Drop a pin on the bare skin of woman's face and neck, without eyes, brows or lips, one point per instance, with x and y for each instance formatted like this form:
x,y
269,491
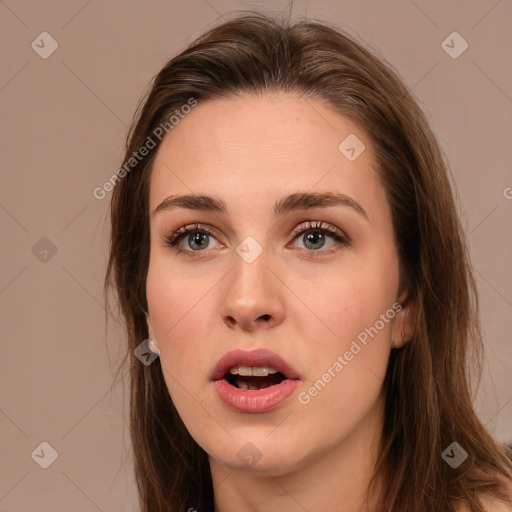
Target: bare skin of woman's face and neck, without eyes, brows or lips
x,y
250,151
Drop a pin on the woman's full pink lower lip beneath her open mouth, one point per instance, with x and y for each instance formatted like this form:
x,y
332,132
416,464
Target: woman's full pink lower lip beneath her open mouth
x,y
255,400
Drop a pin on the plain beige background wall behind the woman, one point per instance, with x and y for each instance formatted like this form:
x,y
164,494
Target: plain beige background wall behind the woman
x,y
64,120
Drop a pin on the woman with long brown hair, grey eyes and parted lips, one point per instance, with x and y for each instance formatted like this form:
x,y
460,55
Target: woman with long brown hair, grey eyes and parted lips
x,y
284,232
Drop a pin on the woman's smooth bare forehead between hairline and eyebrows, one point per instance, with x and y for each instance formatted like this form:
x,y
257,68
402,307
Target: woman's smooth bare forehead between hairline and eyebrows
x,y
260,148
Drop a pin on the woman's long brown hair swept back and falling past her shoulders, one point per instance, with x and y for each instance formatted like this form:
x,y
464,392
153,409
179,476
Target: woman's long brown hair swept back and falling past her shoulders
x,y
427,386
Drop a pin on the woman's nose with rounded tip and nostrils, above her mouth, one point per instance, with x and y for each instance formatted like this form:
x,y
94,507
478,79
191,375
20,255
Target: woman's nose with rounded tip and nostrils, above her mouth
x,y
253,296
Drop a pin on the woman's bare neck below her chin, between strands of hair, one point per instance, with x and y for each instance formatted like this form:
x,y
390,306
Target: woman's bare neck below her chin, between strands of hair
x,y
335,480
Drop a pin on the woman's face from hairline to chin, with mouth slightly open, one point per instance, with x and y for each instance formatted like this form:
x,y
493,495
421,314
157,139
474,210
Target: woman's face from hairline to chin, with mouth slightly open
x,y
265,277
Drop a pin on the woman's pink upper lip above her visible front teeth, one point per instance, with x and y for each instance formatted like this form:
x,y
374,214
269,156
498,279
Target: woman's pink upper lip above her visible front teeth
x,y
258,357
